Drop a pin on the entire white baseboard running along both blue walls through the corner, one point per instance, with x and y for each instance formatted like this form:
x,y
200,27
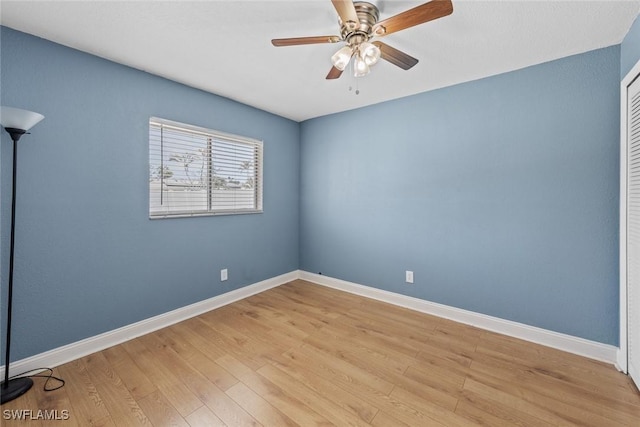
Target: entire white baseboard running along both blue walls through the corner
x,y
73,351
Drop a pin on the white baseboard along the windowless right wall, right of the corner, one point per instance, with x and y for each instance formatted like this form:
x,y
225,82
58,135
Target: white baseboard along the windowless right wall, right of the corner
x,y
591,349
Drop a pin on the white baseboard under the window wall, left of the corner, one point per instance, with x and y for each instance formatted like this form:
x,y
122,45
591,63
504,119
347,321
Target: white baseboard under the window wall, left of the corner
x,y
76,350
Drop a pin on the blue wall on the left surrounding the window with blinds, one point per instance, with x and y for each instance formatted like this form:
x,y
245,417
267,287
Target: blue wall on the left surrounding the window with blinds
x,y
88,259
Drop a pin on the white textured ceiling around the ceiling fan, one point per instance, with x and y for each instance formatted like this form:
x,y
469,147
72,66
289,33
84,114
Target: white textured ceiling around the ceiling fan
x,y
224,46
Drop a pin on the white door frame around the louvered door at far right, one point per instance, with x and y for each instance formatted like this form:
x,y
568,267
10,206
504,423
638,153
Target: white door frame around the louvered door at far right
x,y
623,356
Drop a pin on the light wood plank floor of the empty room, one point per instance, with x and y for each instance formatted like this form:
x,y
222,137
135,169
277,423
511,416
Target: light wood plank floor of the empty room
x,y
302,354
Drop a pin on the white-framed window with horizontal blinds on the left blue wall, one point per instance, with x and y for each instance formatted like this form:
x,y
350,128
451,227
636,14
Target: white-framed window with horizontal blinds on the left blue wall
x,y
195,171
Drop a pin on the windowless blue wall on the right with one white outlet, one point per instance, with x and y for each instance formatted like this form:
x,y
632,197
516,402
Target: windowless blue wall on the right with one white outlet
x,y
500,194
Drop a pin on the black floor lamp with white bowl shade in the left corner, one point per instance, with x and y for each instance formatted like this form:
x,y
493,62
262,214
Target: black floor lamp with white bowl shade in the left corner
x,y
17,122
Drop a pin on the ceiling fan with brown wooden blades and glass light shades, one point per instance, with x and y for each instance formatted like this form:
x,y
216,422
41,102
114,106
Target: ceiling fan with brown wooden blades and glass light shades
x,y
359,24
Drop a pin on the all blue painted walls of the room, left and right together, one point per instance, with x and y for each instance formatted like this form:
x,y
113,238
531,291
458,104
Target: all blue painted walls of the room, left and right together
x,y
500,194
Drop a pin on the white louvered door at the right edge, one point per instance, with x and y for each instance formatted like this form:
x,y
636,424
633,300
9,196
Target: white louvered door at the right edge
x,y
633,229
